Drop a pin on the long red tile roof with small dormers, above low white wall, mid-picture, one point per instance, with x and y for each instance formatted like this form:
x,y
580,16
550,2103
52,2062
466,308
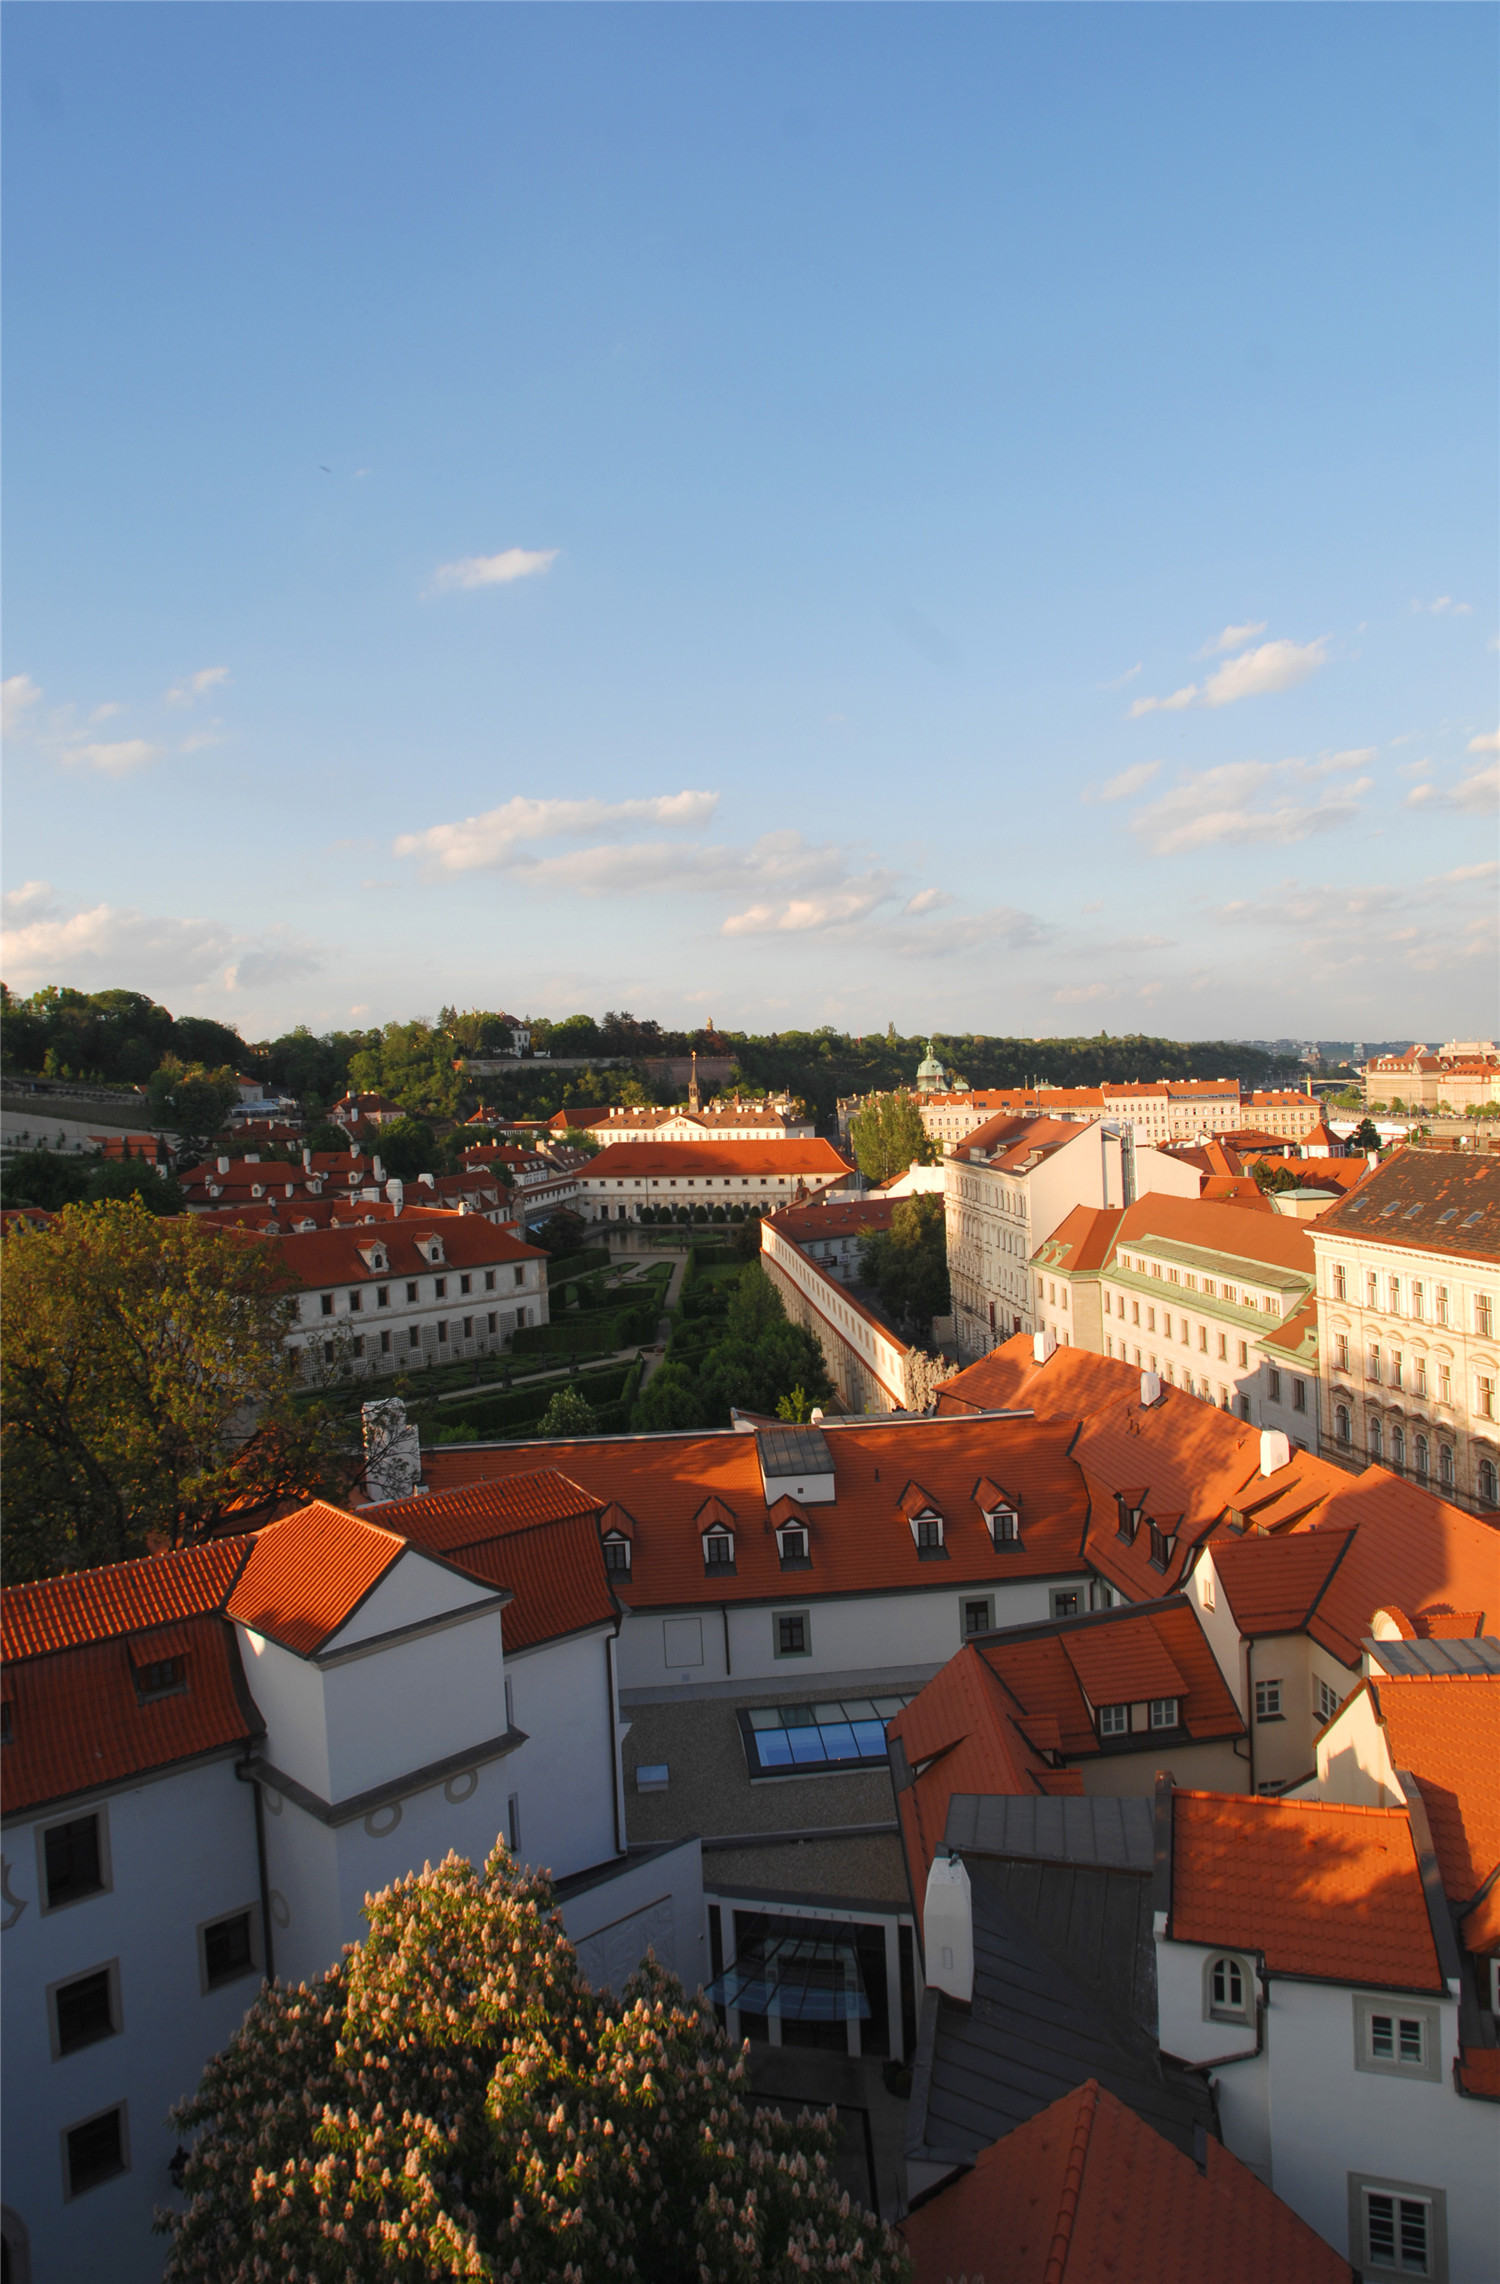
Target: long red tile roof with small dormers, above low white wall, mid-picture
x,y
860,1545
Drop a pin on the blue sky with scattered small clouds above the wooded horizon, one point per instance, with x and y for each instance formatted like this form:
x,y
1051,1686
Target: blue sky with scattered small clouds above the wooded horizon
x,y
971,517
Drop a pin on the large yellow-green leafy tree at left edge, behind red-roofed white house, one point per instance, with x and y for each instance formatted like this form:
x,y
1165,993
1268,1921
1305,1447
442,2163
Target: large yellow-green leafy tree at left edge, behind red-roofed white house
x,y
147,1388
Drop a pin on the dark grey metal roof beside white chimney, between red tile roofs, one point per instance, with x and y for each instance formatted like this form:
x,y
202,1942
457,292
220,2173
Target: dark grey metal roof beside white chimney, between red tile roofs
x,y
1038,2027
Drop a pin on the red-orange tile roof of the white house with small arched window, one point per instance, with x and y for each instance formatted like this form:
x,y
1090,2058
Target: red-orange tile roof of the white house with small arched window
x,y
1318,1890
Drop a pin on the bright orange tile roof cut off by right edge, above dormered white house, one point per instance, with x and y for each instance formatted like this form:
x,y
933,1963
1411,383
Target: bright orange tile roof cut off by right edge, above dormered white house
x,y
1446,1730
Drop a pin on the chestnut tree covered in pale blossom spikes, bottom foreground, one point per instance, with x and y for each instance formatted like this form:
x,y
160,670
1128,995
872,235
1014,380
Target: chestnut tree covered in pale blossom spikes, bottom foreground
x,y
453,2100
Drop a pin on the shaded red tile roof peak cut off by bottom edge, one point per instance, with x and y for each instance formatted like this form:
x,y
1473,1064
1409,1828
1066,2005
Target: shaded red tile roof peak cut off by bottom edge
x,y
1088,2191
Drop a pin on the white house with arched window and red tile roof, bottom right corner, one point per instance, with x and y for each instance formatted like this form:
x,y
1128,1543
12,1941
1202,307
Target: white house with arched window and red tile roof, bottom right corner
x,y
1307,1959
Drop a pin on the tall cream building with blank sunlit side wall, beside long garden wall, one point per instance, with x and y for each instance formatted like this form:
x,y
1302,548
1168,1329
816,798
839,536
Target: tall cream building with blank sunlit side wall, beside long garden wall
x,y
1008,1187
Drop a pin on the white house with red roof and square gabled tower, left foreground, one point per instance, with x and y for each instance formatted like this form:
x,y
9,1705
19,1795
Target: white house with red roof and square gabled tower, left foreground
x,y
213,1758
